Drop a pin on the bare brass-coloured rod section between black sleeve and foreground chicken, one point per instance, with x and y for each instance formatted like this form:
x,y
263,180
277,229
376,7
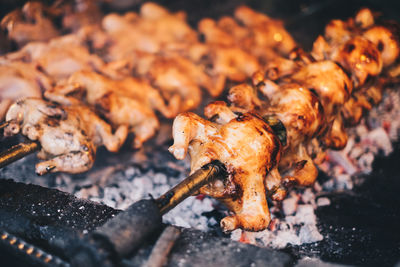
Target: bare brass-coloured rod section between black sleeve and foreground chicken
x,y
189,186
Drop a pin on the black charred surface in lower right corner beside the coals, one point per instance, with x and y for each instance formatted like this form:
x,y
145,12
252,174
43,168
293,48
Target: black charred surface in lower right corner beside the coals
x,y
361,227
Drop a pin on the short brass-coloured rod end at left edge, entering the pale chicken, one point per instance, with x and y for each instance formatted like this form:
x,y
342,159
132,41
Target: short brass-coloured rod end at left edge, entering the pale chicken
x,y
17,152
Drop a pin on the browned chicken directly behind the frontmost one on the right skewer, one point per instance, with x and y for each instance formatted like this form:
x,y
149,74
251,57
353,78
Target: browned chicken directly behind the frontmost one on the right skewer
x,y
301,114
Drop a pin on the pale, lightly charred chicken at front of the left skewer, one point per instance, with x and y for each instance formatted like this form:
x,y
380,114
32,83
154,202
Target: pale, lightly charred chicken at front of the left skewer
x,y
69,136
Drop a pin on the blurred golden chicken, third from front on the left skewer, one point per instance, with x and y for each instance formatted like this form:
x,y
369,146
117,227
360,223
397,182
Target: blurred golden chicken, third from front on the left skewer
x,y
174,75
